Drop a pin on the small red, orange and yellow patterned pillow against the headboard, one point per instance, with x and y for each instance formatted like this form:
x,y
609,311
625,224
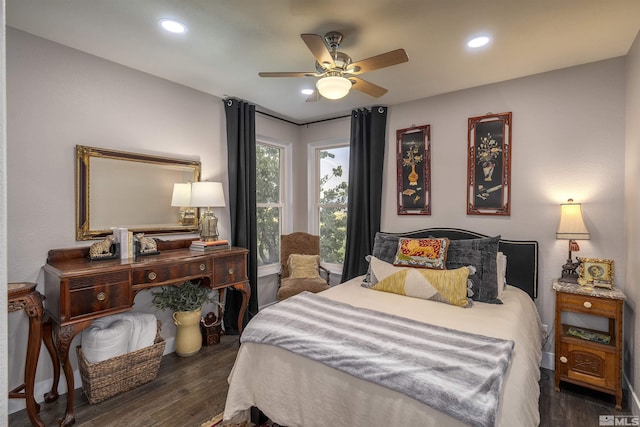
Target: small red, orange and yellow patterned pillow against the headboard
x,y
425,253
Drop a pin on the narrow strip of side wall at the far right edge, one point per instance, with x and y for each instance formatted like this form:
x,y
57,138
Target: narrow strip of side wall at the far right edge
x,y
632,220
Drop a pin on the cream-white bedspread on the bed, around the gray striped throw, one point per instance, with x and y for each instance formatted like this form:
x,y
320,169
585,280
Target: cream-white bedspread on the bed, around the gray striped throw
x,y
294,391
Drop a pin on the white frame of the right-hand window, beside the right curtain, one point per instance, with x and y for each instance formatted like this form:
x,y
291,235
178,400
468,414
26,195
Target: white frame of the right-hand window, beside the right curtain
x,y
313,187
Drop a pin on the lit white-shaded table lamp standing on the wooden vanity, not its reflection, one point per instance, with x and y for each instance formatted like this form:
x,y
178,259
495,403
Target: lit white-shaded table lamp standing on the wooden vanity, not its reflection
x,y
207,195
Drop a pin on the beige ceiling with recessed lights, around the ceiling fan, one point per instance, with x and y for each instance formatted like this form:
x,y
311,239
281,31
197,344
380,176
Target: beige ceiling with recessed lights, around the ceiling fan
x,y
229,41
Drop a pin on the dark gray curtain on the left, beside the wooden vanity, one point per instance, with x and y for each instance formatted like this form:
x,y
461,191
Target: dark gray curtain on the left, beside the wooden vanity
x,y
241,148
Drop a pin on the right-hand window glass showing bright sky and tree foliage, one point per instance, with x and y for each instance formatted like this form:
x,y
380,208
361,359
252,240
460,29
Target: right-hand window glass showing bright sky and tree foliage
x,y
331,190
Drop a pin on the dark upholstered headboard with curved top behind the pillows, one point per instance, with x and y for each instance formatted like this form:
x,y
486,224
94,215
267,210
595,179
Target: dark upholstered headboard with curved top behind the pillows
x,y
522,255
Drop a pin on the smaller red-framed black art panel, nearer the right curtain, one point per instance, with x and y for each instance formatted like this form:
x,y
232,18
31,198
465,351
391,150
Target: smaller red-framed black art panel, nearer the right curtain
x,y
414,170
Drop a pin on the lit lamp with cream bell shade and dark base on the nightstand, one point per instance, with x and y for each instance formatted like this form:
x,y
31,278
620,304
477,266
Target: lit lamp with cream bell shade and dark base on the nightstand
x,y
571,228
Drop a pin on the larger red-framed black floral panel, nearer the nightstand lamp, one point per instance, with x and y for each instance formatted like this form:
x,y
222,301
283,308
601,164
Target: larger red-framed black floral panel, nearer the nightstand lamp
x,y
489,165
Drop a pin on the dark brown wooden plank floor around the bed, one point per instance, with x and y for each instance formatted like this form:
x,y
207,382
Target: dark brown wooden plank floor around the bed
x,y
190,391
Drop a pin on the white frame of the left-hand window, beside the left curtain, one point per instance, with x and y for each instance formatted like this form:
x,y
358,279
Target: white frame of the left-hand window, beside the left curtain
x,y
286,168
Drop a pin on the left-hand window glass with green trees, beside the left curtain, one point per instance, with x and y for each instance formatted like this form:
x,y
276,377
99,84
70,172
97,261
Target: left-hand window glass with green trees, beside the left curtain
x,y
269,201
